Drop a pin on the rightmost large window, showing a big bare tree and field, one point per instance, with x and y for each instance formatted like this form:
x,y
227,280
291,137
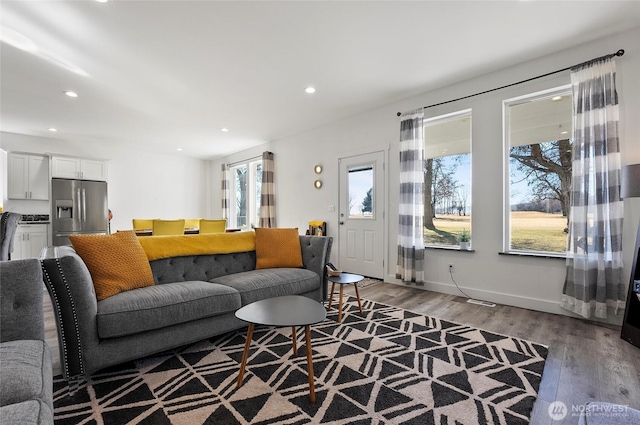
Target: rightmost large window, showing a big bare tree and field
x,y
538,171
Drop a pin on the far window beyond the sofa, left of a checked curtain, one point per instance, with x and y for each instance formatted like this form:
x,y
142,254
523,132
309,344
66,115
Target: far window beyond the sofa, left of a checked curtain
x,y
246,184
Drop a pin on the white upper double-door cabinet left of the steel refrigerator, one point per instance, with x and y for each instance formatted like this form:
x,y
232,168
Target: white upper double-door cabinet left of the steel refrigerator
x,y
27,176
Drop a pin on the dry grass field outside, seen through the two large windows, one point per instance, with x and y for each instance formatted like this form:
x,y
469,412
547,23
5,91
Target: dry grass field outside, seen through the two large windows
x,y
531,231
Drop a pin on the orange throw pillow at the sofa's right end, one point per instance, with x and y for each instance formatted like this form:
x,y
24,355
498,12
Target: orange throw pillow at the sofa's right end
x,y
278,248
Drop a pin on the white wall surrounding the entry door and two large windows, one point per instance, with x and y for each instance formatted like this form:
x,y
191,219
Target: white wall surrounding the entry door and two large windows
x,y
528,282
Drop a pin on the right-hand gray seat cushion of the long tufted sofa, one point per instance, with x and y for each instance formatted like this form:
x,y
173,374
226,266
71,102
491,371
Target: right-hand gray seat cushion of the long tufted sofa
x,y
260,284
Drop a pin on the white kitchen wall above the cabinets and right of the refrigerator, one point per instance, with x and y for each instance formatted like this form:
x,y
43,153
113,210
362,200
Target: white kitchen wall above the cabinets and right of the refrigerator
x,y
139,184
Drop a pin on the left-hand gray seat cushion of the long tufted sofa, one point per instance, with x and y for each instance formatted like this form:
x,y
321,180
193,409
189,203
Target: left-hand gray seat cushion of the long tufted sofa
x,y
159,306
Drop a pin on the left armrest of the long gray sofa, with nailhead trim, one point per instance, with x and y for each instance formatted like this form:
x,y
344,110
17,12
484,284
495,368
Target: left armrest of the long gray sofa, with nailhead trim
x,y
75,306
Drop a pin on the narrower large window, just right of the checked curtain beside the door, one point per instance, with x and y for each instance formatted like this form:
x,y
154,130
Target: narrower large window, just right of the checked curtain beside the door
x,y
447,178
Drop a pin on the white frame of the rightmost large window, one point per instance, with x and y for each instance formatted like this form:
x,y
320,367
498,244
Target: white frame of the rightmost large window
x,y
562,90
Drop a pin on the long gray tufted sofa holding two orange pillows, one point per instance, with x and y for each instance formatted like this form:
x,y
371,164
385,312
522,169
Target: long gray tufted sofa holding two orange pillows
x,y
194,298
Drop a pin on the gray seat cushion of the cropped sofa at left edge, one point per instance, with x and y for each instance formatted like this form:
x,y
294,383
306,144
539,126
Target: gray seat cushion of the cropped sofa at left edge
x,y
26,372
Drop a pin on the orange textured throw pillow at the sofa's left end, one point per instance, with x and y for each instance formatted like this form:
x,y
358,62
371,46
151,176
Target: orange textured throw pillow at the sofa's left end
x,y
117,262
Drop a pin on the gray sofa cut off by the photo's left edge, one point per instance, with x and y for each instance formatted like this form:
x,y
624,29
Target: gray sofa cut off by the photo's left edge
x,y
26,382
